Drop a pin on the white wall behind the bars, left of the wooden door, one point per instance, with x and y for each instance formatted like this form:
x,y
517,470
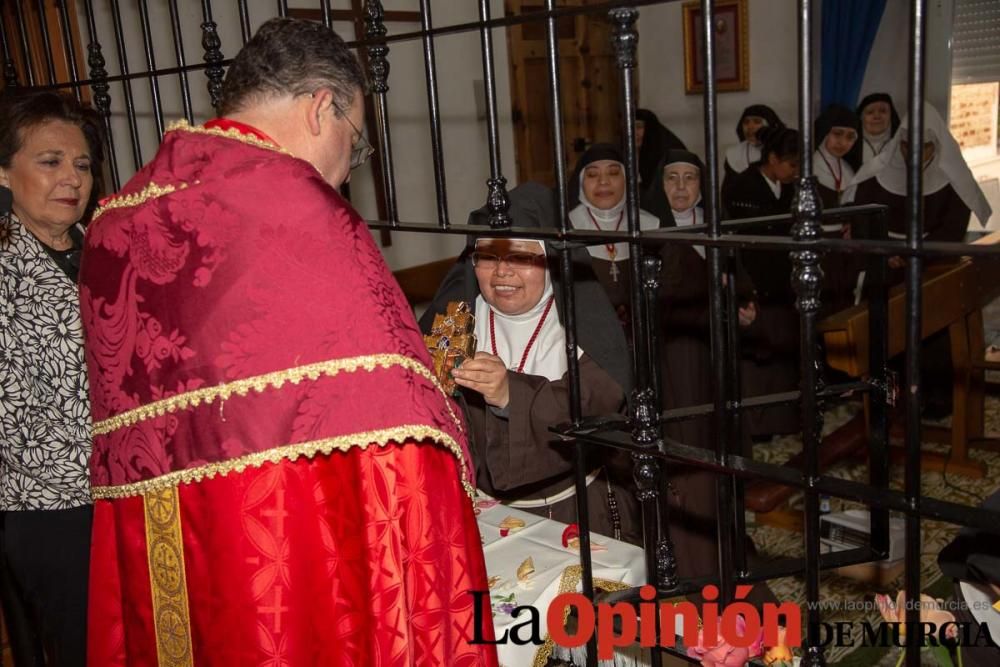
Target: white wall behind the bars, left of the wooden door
x,y
459,68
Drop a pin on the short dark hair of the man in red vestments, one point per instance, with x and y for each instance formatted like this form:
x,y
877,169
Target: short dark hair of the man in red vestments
x,y
291,57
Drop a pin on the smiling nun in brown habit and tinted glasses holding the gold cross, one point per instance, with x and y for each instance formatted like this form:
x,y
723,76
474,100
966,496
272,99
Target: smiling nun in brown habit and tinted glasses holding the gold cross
x,y
516,386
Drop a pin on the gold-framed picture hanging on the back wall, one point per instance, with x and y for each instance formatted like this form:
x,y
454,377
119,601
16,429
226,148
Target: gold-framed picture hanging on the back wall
x,y
732,46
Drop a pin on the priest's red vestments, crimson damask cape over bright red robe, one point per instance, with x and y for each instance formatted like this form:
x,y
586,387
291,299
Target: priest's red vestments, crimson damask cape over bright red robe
x,y
279,480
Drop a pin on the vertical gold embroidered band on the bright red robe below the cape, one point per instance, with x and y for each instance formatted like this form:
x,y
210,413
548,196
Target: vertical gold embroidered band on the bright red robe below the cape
x,y
167,578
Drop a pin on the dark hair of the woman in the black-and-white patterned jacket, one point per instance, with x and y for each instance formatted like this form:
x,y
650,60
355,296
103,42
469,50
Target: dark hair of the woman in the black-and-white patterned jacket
x,y
22,109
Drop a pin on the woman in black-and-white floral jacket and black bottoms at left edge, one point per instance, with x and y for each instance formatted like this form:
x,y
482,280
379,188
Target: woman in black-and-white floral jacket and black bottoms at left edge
x,y
49,152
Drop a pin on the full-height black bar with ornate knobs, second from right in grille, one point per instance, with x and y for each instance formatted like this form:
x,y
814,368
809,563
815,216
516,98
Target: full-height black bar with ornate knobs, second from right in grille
x,y
807,280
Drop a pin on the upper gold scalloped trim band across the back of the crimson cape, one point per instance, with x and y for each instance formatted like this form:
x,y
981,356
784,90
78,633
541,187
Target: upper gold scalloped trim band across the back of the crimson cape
x,y
274,380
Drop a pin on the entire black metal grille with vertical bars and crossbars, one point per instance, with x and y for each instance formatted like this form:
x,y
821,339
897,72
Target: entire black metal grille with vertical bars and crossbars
x,y
651,451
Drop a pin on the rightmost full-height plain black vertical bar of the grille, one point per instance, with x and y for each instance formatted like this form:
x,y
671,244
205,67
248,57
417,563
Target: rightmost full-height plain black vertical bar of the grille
x,y
914,315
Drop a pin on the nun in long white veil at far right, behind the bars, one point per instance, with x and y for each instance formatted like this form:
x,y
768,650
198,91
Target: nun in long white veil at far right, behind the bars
x,y
950,190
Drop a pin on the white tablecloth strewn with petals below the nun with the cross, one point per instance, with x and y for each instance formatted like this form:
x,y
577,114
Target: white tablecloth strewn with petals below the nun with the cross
x,y
556,567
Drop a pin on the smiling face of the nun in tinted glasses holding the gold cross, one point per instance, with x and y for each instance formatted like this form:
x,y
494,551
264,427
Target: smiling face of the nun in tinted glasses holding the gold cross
x,y
511,274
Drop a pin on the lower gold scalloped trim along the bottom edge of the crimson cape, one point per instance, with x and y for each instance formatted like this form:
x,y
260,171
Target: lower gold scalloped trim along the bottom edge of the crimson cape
x,y
342,443
